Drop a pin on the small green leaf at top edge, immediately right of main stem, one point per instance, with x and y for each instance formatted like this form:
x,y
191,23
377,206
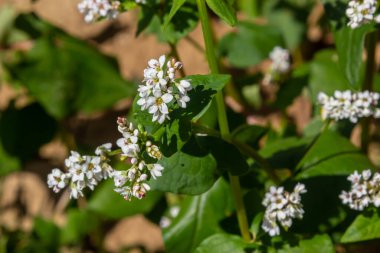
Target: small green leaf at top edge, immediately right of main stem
x,y
224,10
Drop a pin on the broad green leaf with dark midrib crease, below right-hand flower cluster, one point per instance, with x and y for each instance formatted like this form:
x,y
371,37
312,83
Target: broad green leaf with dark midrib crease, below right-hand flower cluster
x,y
332,155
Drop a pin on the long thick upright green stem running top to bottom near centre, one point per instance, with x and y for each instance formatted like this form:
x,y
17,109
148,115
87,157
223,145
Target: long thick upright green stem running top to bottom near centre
x,y
222,117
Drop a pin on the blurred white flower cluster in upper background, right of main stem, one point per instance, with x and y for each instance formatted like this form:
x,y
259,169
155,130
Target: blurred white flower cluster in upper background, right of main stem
x,y
280,65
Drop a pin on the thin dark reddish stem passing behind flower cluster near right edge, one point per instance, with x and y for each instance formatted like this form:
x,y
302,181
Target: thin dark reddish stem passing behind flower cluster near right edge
x,y
368,85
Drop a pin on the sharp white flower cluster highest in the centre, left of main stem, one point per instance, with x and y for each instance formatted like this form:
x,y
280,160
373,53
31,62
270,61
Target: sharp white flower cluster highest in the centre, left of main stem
x,y
160,88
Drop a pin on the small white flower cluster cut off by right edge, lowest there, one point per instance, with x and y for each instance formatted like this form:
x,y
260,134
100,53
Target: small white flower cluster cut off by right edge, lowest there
x,y
364,190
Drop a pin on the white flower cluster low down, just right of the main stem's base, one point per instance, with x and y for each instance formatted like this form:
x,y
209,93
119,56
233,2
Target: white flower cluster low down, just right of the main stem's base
x,y
282,206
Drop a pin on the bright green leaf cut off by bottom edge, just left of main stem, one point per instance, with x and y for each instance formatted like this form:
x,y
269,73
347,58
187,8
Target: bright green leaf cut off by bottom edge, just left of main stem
x,y
222,243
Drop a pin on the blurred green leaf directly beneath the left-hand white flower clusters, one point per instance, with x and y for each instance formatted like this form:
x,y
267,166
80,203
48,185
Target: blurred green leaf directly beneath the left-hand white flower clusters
x,y
106,202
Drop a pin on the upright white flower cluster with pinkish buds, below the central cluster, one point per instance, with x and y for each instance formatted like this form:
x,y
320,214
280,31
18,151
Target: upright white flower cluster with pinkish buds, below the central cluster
x,y
136,147
